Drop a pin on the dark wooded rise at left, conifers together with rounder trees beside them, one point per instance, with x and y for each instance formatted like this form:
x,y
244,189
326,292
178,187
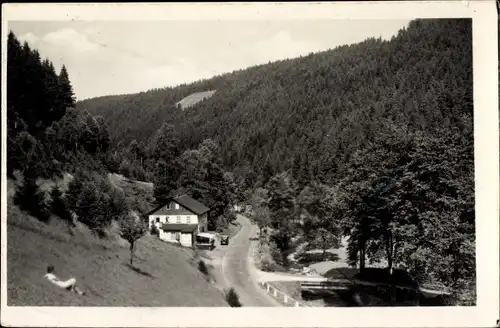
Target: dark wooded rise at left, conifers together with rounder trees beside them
x,y
46,136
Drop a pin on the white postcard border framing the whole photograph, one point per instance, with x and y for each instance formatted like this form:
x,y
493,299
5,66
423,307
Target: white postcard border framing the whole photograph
x,y
486,126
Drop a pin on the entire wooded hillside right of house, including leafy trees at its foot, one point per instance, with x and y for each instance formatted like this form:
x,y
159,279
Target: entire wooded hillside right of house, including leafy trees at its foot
x,y
372,140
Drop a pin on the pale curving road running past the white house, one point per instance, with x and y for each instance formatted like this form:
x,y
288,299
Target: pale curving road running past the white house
x,y
239,271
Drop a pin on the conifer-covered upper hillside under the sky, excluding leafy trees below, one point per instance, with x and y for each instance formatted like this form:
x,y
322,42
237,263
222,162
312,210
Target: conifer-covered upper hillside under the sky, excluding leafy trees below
x,y
311,113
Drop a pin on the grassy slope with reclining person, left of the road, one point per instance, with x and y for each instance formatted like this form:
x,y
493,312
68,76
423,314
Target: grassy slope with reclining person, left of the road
x,y
166,276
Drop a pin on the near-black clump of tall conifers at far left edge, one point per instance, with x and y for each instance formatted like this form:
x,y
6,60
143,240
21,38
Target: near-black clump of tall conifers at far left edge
x,y
33,105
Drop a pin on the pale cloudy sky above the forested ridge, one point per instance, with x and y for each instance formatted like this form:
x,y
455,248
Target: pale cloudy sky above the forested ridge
x,y
120,57
